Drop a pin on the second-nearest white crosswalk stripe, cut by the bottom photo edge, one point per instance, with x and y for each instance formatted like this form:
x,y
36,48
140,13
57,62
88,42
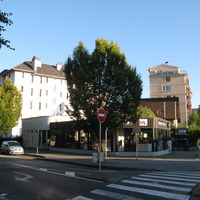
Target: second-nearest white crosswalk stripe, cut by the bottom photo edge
x,y
113,195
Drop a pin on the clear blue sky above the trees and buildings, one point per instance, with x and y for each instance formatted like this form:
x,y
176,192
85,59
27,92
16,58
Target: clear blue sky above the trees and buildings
x,y
149,32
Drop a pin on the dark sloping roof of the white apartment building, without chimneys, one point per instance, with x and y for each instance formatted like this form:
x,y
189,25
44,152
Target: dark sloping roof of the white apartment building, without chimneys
x,y
45,70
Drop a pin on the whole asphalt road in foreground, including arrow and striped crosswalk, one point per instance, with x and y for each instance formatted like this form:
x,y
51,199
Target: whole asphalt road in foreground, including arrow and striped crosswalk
x,y
24,177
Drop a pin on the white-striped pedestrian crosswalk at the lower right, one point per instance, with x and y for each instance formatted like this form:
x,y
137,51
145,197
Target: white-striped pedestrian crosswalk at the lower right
x,y
147,186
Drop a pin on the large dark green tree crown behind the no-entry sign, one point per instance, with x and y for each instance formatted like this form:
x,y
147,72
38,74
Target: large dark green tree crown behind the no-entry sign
x,y
102,78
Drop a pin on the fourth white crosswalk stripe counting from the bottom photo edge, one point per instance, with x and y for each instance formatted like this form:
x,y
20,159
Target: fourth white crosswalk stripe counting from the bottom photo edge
x,y
153,184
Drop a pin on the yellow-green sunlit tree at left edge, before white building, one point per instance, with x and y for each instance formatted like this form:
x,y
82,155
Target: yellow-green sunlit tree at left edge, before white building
x,y
10,106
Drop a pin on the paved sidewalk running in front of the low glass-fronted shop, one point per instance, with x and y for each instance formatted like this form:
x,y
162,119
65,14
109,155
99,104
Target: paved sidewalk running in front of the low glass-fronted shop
x,y
176,161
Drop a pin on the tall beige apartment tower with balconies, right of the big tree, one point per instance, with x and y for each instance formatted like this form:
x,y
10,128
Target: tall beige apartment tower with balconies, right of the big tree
x,y
169,81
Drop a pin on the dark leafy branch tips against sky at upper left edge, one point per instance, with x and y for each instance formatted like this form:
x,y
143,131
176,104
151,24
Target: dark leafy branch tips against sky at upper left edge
x,y
4,20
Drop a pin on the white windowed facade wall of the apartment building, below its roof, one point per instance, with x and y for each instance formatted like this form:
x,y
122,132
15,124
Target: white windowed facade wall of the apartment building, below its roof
x,y
42,96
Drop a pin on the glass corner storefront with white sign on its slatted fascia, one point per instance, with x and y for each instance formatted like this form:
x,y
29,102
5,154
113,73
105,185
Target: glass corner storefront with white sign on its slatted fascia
x,y
148,136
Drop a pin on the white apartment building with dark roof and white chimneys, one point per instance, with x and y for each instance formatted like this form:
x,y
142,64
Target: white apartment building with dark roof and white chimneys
x,y
43,87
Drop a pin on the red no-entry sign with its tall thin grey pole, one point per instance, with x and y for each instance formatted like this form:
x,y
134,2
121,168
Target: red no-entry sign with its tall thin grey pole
x,y
101,115
